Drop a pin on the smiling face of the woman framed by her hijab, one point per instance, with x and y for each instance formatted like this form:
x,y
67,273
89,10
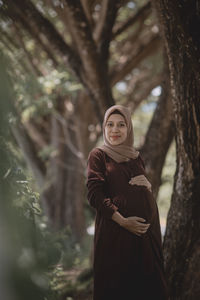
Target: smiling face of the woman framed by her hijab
x,y
116,129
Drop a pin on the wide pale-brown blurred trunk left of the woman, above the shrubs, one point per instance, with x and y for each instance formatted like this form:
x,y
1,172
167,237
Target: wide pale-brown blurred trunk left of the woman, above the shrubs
x,y
63,193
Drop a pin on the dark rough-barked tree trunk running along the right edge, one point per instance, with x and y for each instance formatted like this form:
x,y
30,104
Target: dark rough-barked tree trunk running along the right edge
x,y
180,23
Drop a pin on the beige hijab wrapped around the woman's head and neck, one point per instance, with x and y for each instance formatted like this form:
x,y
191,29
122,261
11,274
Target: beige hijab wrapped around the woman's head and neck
x,y
126,151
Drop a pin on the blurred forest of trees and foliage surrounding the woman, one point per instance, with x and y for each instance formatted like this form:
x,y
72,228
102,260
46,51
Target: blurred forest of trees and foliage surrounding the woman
x,y
63,63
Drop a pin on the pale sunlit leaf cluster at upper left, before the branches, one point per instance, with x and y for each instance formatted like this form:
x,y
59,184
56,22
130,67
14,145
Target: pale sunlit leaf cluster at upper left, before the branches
x,y
37,97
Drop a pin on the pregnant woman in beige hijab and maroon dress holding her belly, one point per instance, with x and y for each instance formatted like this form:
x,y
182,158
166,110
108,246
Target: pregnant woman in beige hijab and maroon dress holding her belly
x,y
128,259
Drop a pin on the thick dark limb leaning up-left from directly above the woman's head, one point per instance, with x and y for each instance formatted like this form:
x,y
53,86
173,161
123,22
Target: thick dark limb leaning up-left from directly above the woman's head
x,y
95,76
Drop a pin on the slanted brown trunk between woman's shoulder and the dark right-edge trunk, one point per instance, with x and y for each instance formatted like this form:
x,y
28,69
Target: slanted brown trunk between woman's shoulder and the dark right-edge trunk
x,y
159,135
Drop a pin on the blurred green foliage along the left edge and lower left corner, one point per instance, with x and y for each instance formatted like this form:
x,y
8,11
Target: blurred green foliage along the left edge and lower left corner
x,y
31,251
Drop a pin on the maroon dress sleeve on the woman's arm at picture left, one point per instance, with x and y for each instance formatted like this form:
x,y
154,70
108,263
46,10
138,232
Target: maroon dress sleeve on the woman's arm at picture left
x,y
96,184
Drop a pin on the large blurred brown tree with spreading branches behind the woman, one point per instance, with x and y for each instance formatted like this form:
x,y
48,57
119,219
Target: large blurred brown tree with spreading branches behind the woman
x,y
101,43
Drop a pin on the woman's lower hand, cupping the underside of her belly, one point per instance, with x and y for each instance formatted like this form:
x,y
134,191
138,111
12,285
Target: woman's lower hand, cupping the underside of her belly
x,y
135,225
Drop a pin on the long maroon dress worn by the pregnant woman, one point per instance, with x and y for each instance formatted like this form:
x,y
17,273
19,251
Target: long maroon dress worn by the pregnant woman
x,y
126,266
